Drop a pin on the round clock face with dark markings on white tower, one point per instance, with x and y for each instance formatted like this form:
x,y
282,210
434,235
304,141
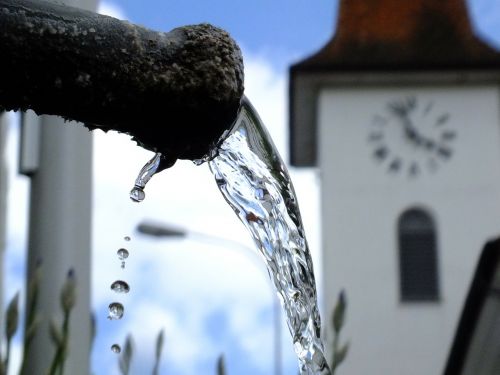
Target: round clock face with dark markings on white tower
x,y
412,136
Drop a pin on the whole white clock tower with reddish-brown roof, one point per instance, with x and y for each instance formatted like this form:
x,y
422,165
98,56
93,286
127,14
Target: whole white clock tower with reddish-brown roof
x,y
400,112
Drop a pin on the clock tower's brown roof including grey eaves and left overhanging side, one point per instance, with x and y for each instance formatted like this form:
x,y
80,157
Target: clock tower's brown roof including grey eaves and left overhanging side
x,y
387,42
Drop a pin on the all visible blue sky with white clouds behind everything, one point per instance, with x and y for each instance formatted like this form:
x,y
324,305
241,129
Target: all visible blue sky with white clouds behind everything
x,y
209,299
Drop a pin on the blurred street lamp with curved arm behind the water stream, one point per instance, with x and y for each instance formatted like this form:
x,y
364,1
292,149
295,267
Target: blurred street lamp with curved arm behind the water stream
x,y
163,230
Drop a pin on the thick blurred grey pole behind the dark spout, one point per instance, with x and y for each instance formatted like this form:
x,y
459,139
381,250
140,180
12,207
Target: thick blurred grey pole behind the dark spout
x,y
60,235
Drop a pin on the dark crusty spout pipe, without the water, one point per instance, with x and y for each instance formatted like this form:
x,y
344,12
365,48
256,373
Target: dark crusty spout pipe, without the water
x,y
174,92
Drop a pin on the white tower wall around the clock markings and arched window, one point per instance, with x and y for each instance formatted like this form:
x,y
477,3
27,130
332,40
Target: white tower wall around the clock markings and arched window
x,y
362,201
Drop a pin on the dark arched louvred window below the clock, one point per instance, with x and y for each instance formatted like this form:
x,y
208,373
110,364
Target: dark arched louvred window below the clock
x,y
418,270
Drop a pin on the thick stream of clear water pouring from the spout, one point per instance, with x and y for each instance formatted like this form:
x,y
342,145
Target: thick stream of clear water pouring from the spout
x,y
254,181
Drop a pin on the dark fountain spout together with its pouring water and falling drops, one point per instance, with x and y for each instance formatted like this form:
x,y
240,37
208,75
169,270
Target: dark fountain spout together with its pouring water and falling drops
x,y
195,74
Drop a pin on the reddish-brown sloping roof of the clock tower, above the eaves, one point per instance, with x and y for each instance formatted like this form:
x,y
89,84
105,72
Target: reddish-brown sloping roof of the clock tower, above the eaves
x,y
399,34
